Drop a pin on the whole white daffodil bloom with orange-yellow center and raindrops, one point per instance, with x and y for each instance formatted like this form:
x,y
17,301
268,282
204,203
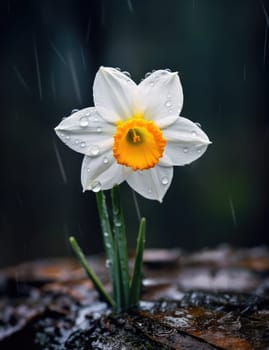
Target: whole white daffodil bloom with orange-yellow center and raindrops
x,y
133,133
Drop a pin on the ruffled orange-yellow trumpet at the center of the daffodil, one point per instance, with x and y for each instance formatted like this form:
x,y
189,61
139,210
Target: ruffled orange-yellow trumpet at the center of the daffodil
x,y
138,143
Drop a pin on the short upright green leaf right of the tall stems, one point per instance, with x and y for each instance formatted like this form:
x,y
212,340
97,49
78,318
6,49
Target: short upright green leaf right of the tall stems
x,y
137,273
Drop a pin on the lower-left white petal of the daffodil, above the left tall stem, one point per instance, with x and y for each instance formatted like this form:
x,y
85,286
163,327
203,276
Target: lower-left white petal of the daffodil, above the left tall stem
x,y
102,173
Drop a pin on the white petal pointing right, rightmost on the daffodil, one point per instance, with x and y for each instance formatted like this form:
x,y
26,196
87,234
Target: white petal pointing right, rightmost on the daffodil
x,y
185,141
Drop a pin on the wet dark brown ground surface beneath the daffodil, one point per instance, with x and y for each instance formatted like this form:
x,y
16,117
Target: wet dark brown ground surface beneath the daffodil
x,y
211,299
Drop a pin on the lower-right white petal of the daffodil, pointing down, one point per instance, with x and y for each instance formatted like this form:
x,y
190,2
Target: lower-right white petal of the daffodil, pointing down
x,y
152,183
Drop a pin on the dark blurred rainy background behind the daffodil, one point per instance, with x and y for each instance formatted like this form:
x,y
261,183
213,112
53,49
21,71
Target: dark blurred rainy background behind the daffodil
x,y
50,52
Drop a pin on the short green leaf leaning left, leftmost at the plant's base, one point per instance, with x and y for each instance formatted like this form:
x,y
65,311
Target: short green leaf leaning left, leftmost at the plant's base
x,y
95,280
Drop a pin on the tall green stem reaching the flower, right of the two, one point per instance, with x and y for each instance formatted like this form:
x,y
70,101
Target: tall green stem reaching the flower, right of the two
x,y
121,247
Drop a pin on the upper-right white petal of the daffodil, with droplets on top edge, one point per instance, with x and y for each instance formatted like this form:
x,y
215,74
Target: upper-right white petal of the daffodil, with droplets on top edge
x,y
161,95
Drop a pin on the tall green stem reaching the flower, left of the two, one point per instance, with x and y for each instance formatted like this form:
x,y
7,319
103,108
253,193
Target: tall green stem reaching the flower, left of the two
x,y
109,244
